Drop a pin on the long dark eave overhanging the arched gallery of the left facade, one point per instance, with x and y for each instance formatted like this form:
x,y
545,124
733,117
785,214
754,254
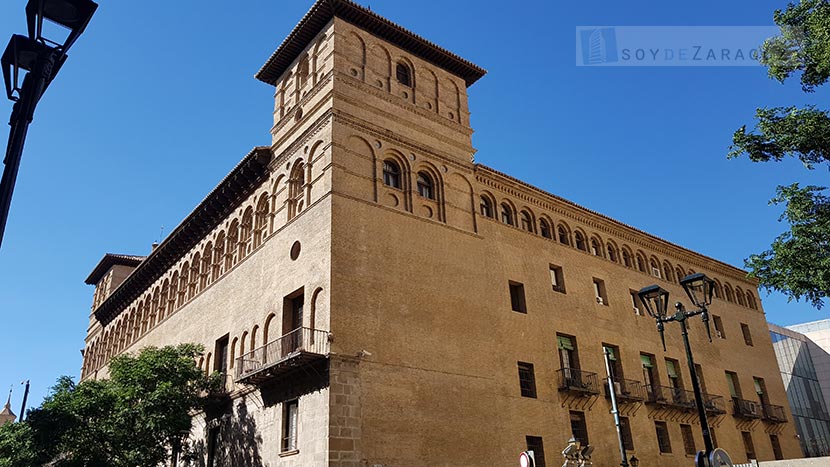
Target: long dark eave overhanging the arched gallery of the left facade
x,y
216,207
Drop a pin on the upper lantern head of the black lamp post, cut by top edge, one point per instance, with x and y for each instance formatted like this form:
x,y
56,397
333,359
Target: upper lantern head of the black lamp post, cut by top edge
x,y
72,15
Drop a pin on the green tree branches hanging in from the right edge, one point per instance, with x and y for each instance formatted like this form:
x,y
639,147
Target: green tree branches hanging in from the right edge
x,y
798,262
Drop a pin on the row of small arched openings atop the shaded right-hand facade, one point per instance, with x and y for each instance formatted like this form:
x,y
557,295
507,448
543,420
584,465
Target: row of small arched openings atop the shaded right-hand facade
x,y
594,245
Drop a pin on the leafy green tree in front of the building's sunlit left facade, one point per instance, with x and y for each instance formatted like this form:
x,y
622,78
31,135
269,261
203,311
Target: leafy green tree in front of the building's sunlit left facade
x,y
133,418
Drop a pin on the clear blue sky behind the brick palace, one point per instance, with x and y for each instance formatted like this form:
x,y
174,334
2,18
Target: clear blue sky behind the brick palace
x,y
157,102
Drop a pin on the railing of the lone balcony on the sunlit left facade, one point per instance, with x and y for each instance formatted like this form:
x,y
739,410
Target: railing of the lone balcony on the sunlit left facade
x,y
299,347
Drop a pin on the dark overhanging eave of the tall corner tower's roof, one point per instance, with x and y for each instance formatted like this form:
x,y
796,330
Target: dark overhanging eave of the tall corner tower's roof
x,y
323,11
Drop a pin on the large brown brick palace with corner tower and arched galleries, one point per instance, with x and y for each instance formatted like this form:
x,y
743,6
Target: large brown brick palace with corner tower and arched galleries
x,y
377,299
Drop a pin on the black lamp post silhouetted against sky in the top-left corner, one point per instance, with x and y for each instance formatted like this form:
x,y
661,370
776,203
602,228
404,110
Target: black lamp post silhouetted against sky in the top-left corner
x,y
38,58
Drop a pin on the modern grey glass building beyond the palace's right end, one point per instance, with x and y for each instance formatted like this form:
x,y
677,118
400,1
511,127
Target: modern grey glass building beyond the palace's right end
x,y
798,358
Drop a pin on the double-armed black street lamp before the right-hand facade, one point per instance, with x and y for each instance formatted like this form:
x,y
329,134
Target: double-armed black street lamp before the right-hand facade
x,y
699,288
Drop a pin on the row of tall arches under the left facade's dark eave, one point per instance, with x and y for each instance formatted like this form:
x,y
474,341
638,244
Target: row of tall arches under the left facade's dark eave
x,y
201,269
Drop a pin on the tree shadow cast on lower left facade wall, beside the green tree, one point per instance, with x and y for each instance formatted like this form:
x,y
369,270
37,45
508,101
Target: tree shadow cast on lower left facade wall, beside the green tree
x,y
229,440
